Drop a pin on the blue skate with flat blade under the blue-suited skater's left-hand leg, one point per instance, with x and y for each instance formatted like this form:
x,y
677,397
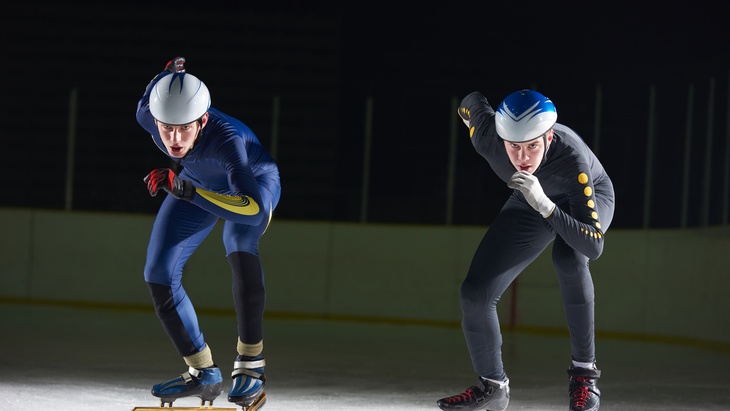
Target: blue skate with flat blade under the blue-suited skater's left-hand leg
x,y
205,383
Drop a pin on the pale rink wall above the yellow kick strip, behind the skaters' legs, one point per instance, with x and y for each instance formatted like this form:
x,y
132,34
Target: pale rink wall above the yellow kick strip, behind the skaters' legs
x,y
658,285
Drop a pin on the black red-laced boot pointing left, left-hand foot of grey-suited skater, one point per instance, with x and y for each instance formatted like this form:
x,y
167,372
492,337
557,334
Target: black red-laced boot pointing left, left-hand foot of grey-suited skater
x,y
486,396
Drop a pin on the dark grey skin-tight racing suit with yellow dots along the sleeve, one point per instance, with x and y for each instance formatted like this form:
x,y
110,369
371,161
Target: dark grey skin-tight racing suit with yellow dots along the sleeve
x,y
573,178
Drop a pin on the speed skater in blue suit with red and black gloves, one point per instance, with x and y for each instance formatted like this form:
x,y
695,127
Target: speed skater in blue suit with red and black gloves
x,y
226,174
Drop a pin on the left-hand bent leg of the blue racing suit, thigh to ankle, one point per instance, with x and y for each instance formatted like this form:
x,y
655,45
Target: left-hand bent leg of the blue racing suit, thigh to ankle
x,y
178,230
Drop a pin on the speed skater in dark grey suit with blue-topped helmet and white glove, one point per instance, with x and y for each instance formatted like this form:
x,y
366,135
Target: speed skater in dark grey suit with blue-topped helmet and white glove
x,y
562,195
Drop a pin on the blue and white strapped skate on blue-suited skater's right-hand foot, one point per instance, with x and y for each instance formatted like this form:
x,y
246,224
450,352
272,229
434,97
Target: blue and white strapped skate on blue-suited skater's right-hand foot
x,y
247,389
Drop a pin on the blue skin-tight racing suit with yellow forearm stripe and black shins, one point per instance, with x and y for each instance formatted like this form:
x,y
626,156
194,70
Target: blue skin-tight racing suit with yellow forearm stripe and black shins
x,y
236,180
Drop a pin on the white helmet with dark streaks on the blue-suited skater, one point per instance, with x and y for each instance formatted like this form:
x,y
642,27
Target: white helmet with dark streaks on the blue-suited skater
x,y
179,98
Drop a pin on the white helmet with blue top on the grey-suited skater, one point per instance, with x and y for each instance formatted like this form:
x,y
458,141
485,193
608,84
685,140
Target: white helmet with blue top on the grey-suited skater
x,y
525,115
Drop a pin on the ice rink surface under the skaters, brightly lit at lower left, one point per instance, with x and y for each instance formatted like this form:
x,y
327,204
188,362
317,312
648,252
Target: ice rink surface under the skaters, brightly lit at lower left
x,y
80,359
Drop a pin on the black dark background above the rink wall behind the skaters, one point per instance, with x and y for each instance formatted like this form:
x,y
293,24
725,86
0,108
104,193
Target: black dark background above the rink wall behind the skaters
x,y
324,60
